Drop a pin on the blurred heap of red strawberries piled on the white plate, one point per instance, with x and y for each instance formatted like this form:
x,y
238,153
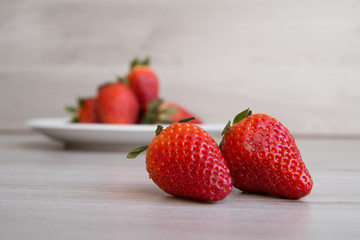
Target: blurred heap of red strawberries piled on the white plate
x,y
134,99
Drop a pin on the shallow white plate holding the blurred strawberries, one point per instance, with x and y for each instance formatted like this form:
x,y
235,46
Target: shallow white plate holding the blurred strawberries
x,y
61,129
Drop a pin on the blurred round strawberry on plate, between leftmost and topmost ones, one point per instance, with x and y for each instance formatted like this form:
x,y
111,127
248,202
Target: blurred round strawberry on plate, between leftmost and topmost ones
x,y
117,104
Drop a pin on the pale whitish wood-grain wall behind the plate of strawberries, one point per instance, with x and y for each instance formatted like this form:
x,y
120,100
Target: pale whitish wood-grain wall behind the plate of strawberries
x,y
298,61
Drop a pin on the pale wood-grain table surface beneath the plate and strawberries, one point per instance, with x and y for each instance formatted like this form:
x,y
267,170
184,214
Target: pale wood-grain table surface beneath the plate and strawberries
x,y
49,192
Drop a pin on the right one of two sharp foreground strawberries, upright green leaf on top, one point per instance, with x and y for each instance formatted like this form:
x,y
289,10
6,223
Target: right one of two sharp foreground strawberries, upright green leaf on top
x,y
263,157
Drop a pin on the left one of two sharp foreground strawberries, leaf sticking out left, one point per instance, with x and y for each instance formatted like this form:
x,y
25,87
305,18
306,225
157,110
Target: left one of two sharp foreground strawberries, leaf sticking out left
x,y
185,161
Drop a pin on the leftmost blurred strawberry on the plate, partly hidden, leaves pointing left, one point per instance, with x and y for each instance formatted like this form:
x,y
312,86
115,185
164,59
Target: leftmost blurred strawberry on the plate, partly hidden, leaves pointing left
x,y
85,112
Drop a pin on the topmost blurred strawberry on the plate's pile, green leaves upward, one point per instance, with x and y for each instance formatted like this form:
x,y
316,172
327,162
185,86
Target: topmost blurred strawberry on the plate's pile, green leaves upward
x,y
144,82
